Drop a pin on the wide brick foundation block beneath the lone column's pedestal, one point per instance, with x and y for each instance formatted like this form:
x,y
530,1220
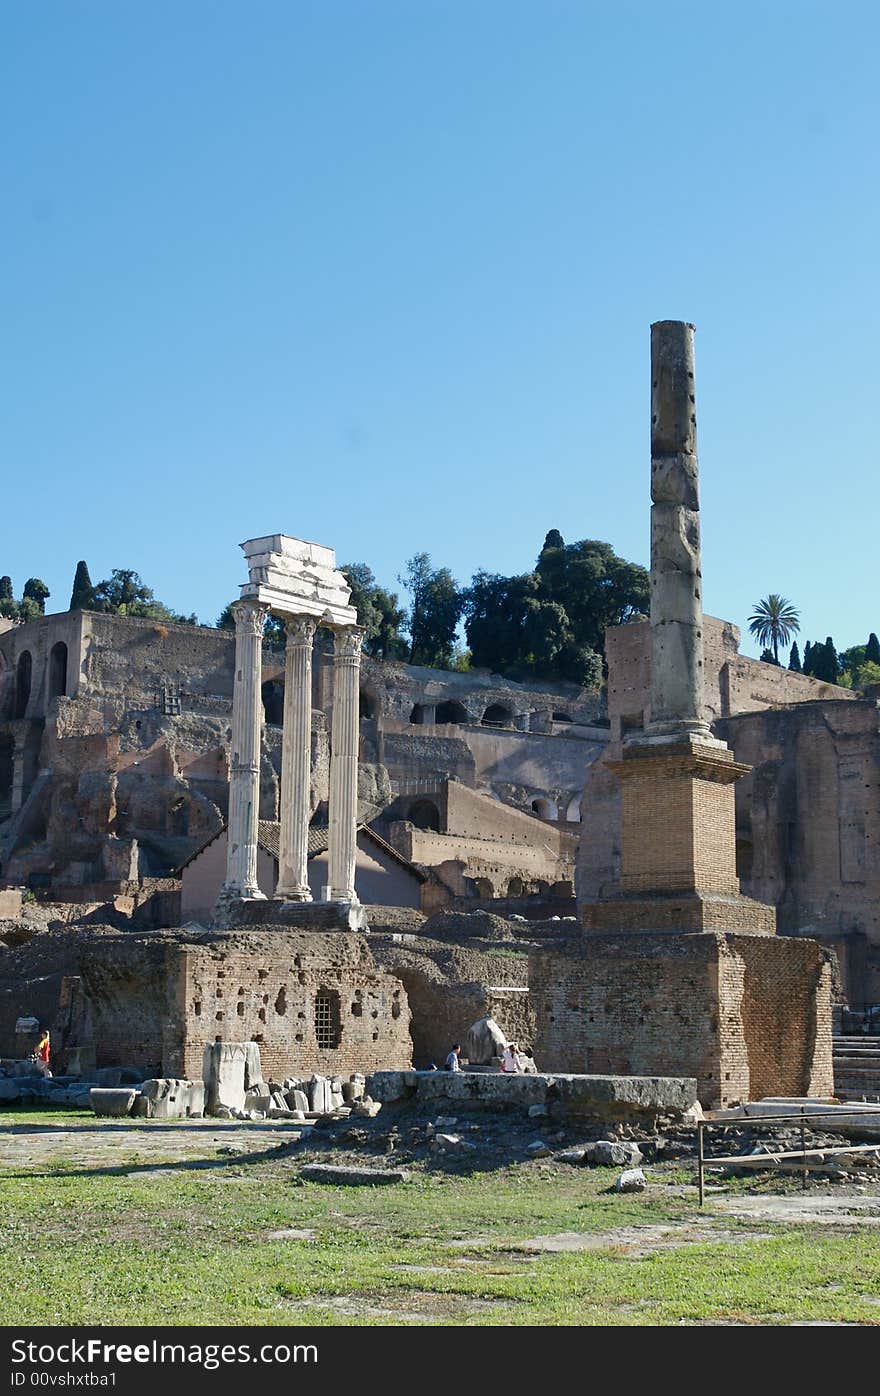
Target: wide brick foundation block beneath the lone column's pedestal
x,y
748,1016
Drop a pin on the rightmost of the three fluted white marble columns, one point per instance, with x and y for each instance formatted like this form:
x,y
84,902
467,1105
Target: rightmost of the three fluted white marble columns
x,y
344,764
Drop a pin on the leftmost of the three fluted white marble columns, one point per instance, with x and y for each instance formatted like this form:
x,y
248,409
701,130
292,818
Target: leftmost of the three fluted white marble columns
x,y
245,763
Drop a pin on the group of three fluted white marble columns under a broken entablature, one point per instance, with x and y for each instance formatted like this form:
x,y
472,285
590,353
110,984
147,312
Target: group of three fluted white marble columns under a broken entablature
x,y
295,759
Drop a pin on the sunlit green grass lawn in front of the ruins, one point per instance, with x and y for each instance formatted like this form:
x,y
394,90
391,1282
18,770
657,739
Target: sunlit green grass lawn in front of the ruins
x,y
191,1246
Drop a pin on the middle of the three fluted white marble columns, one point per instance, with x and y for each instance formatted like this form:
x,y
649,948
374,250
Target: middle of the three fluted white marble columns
x,y
297,763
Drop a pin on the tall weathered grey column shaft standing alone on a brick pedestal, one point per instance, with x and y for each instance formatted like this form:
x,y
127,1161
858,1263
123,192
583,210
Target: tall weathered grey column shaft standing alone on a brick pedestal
x,y
677,584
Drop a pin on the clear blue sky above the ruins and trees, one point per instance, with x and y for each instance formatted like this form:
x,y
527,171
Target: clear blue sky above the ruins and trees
x,y
381,274
